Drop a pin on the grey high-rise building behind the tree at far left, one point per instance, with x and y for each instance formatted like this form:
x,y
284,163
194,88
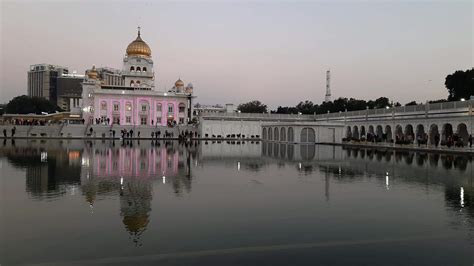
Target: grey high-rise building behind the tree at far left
x,y
42,80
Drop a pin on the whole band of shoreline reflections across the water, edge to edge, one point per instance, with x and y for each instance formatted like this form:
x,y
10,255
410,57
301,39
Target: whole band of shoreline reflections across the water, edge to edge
x,y
128,171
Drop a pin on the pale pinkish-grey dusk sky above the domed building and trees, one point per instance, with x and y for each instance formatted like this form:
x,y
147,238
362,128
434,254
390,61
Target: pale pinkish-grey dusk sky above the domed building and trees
x,y
236,51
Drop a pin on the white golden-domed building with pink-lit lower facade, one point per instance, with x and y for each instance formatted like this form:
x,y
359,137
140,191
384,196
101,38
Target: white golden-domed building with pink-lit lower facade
x,y
128,96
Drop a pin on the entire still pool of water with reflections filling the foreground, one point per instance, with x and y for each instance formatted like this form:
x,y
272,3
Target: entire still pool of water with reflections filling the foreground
x,y
81,203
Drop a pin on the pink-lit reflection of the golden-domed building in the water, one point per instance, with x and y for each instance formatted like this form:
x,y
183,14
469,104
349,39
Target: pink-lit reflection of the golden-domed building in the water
x,y
129,171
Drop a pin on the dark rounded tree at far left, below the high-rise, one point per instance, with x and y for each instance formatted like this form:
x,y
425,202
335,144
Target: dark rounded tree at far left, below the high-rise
x,y
28,105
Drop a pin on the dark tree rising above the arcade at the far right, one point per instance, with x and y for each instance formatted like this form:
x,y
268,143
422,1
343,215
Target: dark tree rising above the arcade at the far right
x,y
460,84
